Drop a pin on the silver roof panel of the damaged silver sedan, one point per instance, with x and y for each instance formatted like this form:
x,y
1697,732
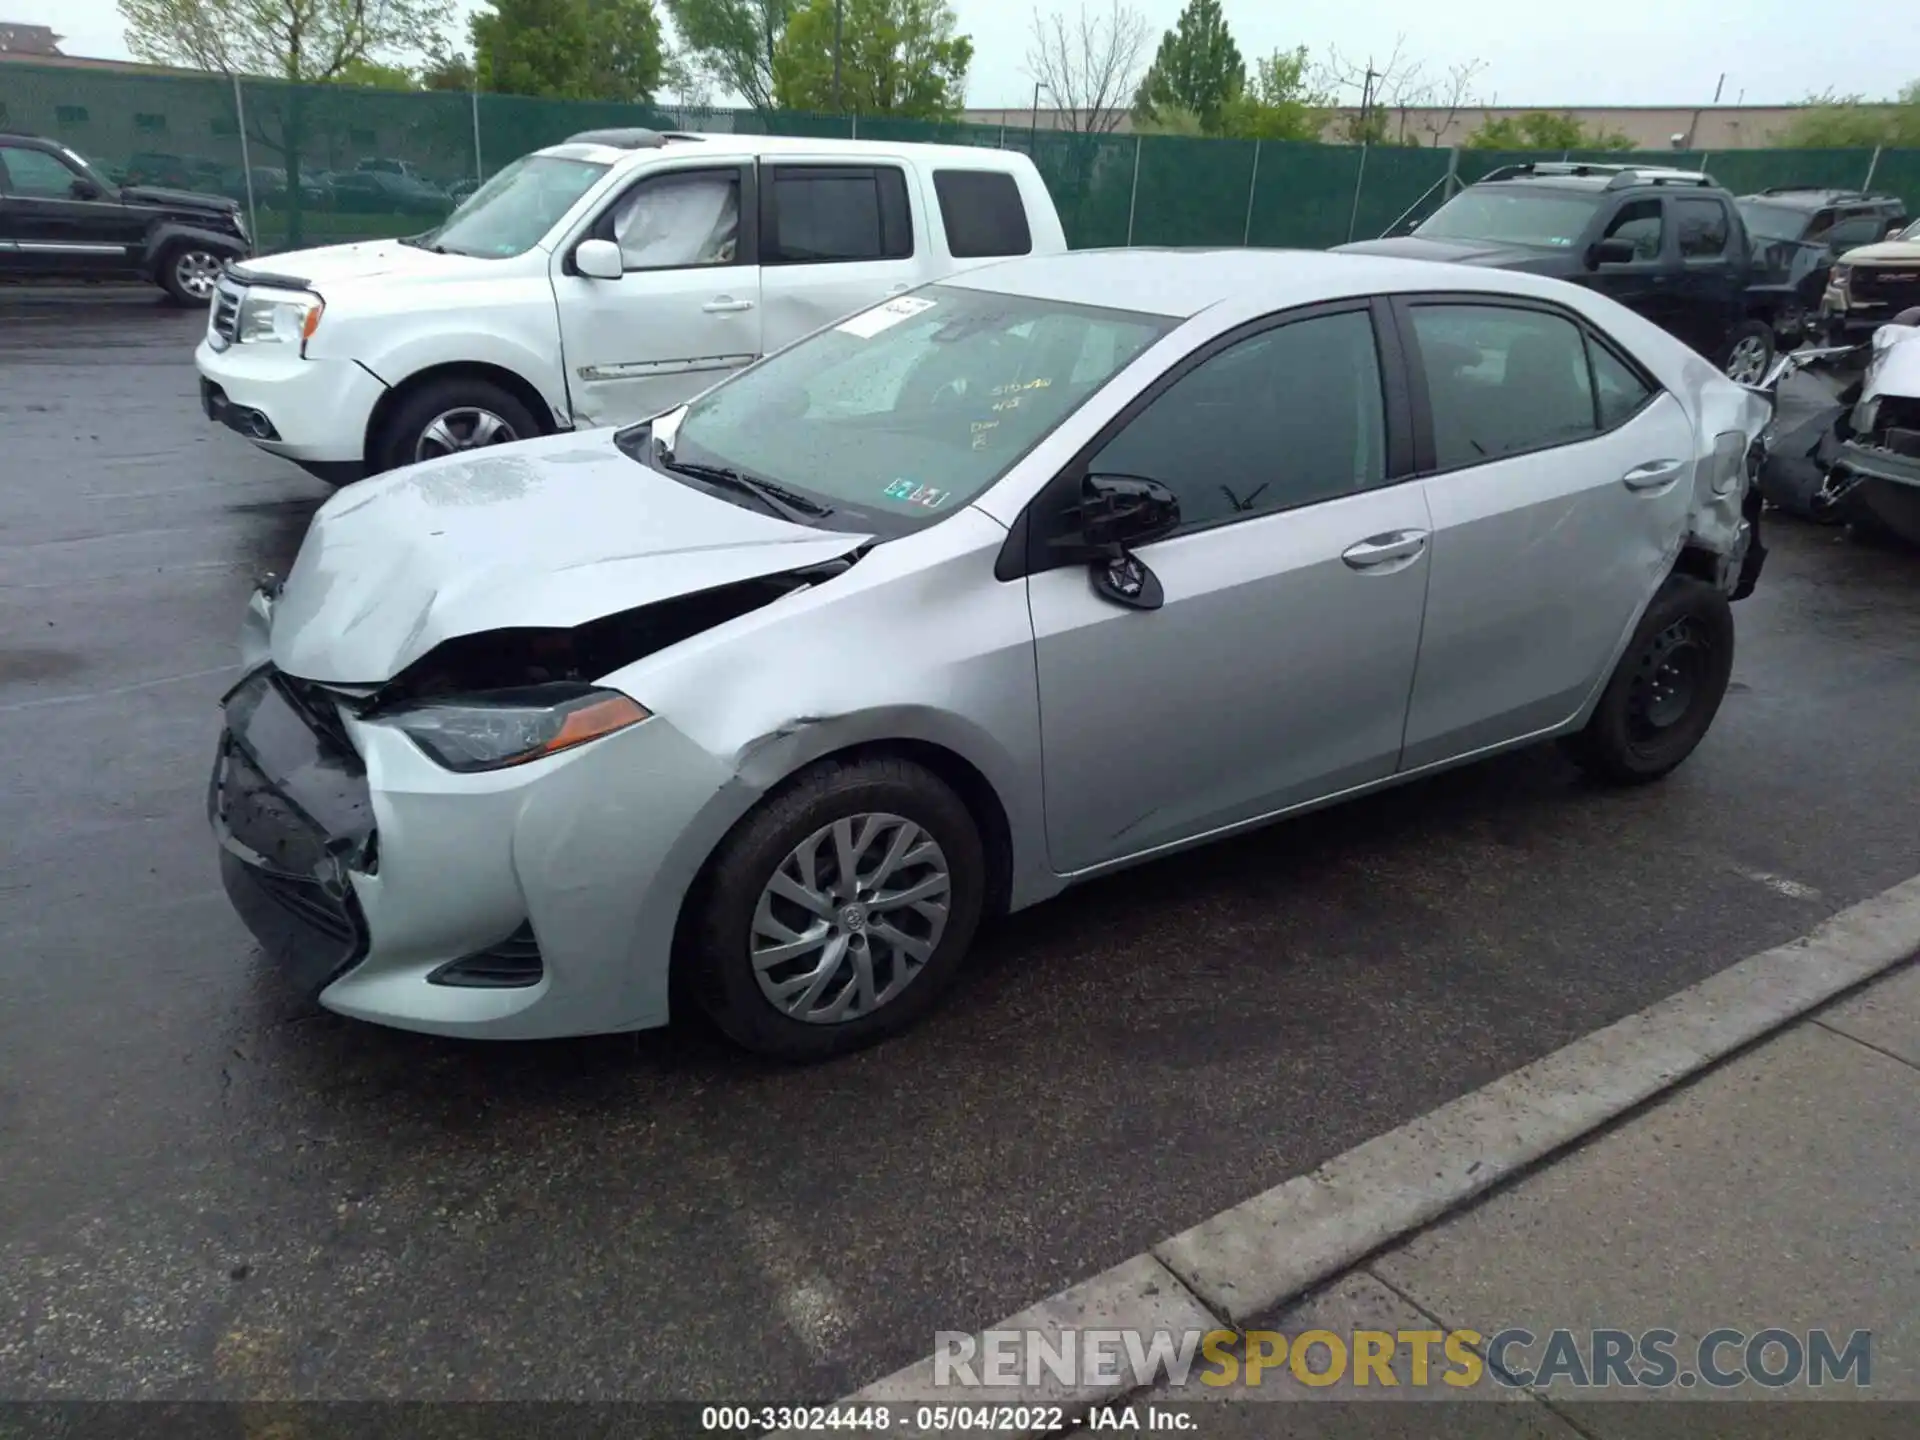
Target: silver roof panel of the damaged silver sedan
x,y
1182,283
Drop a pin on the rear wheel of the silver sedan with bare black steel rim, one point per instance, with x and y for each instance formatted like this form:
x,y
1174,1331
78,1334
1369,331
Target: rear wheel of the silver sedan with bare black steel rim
x,y
1666,690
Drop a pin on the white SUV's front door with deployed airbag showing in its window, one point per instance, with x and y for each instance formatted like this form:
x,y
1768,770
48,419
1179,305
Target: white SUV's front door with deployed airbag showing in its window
x,y
686,310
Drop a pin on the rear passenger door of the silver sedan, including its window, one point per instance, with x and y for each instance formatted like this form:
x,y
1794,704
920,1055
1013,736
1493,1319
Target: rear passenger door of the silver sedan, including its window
x,y
1558,479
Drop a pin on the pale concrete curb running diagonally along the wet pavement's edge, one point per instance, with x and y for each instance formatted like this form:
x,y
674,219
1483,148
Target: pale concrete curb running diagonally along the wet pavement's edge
x,y
1257,1257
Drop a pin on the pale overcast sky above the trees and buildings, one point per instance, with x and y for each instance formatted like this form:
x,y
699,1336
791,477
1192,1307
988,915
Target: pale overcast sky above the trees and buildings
x,y
1627,53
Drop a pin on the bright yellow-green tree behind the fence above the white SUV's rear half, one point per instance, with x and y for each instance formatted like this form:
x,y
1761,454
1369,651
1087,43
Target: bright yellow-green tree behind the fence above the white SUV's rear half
x,y
898,59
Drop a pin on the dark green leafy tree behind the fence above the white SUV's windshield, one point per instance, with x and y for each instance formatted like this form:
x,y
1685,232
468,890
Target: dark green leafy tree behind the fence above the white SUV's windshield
x,y
569,49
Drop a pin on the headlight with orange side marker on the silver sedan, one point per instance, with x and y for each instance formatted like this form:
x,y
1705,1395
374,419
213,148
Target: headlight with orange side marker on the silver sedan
x,y
512,727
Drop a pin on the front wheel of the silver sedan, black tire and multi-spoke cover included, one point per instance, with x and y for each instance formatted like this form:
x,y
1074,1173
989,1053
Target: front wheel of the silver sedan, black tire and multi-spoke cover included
x,y
840,911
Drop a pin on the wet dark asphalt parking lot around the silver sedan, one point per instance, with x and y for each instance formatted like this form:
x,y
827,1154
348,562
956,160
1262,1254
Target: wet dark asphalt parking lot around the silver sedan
x,y
208,1189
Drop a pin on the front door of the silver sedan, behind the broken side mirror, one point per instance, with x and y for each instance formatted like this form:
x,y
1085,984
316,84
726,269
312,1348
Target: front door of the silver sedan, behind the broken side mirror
x,y
1280,665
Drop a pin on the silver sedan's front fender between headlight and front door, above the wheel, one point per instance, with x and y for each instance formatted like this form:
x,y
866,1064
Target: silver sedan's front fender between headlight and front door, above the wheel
x,y
913,644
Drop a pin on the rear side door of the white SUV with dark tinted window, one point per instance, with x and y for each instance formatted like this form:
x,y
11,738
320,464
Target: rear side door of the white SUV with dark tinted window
x,y
834,239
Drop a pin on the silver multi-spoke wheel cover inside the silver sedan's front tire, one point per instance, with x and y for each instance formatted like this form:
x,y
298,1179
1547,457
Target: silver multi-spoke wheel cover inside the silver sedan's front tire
x,y
850,919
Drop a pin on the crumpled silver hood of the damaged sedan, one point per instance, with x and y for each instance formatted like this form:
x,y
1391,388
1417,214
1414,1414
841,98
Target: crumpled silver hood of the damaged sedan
x,y
544,535
